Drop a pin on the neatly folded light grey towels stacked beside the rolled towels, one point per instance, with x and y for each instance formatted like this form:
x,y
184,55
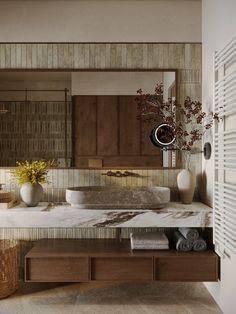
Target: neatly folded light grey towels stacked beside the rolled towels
x,y
149,241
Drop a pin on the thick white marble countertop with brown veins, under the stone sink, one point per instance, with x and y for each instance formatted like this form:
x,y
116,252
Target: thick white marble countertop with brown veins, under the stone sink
x,y
64,216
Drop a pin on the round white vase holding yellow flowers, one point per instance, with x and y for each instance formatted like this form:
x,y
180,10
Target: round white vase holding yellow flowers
x,y
31,194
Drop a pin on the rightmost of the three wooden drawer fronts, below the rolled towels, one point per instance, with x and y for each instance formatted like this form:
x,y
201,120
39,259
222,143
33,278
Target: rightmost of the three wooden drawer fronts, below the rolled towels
x,y
186,268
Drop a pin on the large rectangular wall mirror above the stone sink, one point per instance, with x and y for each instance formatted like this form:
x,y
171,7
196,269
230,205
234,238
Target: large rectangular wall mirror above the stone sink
x,y
84,119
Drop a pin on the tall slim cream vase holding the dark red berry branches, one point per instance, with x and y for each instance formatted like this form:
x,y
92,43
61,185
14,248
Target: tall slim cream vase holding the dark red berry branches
x,y
186,182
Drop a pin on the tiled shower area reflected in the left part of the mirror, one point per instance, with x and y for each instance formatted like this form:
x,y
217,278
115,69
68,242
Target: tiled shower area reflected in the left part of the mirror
x,y
34,126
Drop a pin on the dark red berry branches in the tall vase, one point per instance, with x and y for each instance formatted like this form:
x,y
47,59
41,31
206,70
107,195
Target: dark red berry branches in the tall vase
x,y
188,121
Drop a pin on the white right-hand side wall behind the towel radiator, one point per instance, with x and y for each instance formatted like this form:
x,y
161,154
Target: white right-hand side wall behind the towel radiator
x,y
219,25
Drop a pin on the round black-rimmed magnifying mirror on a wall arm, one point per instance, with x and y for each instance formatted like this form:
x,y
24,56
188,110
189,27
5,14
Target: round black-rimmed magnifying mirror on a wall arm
x,y
163,135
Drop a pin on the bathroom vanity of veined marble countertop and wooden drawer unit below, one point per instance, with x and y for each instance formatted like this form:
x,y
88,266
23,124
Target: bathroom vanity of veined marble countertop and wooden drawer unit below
x,y
63,260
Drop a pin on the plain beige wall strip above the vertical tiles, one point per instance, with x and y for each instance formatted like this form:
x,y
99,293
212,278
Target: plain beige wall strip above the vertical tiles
x,y
101,21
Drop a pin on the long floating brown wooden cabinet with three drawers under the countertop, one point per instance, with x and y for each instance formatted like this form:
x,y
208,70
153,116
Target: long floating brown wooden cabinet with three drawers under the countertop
x,y
109,260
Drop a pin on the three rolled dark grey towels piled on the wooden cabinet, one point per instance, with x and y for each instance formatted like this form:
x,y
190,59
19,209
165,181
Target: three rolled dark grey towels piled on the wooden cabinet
x,y
187,239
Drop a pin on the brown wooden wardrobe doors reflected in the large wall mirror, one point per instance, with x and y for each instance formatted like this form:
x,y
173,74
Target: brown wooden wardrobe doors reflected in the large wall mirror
x,y
106,128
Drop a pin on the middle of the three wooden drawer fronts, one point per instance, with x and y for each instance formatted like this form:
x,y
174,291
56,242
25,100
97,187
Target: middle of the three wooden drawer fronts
x,y
122,268
